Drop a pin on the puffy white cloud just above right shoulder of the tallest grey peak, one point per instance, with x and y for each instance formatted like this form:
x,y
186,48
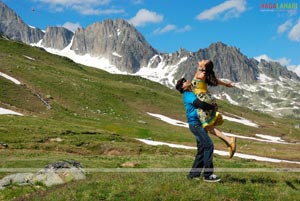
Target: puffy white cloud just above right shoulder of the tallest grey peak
x,y
144,16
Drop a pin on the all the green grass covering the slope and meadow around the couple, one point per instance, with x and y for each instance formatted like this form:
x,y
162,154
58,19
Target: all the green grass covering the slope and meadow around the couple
x,y
96,115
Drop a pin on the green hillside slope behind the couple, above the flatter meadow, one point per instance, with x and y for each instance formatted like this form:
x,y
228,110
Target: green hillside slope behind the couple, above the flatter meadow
x,y
83,95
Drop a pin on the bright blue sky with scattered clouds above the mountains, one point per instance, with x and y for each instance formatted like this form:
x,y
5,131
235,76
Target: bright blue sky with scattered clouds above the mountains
x,y
168,25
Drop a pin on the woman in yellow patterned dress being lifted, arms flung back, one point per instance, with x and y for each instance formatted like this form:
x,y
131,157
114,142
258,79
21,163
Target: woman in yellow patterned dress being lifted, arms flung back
x,y
209,119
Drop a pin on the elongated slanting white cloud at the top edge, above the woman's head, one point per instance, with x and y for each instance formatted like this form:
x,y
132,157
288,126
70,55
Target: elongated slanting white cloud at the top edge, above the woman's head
x,y
228,9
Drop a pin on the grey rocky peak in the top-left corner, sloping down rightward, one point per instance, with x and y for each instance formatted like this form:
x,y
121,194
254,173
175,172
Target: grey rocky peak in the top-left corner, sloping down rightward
x,y
12,26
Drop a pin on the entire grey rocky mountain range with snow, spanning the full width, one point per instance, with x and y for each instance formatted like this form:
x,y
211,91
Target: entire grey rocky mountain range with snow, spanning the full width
x,y
262,85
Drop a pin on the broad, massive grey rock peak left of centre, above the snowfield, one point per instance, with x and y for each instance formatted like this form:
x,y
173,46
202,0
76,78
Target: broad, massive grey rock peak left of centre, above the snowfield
x,y
116,40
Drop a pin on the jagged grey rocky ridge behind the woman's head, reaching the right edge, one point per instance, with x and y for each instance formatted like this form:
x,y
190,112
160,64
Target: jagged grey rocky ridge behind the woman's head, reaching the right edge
x,y
230,63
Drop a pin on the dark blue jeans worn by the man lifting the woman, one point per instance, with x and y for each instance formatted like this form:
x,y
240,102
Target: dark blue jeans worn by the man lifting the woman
x,y
204,156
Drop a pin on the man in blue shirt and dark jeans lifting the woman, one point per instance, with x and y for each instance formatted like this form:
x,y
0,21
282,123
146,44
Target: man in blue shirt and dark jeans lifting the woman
x,y
205,147
